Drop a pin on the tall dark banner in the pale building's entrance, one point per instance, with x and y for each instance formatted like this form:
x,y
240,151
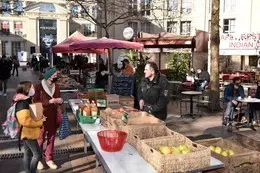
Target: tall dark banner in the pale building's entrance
x,y
48,35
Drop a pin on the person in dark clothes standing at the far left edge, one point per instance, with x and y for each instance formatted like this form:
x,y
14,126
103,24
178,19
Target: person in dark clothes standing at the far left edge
x,y
5,74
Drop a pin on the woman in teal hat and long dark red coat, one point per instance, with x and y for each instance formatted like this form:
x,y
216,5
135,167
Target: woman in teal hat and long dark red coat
x,y
48,93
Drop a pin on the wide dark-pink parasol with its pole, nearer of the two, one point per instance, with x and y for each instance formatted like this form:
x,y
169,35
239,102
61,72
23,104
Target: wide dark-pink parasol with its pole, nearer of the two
x,y
106,43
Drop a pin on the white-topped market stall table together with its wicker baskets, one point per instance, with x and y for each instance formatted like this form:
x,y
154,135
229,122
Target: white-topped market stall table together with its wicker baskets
x,y
131,157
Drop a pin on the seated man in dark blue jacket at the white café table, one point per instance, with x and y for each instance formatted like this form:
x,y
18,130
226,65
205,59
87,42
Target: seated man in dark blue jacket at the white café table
x,y
231,93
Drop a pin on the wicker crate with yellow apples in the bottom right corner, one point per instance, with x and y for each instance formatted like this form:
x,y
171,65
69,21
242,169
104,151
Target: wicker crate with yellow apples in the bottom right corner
x,y
243,159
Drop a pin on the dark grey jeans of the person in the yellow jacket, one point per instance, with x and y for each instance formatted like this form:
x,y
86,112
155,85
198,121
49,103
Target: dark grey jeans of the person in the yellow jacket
x,y
32,155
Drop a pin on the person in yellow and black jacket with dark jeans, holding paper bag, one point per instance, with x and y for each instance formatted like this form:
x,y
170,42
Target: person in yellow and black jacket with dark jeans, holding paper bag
x,y
29,129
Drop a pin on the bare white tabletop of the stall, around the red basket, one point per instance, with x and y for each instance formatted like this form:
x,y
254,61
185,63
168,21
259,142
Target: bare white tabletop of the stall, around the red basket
x,y
128,159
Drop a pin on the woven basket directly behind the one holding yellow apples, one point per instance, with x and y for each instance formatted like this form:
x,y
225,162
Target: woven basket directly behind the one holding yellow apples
x,y
136,133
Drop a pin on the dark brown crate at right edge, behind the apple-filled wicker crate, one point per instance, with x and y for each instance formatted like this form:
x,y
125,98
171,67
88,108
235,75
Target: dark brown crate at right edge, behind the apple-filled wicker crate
x,y
249,139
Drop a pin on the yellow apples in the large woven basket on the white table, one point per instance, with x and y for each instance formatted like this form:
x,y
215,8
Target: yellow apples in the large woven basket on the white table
x,y
181,149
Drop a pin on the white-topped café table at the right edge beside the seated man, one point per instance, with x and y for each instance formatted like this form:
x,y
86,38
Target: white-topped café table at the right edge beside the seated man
x,y
249,101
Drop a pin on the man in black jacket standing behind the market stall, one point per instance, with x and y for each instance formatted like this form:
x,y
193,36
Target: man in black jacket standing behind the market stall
x,y
153,92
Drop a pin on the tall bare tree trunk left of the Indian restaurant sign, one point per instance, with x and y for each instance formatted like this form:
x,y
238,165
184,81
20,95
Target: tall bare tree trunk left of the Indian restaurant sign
x,y
214,47
